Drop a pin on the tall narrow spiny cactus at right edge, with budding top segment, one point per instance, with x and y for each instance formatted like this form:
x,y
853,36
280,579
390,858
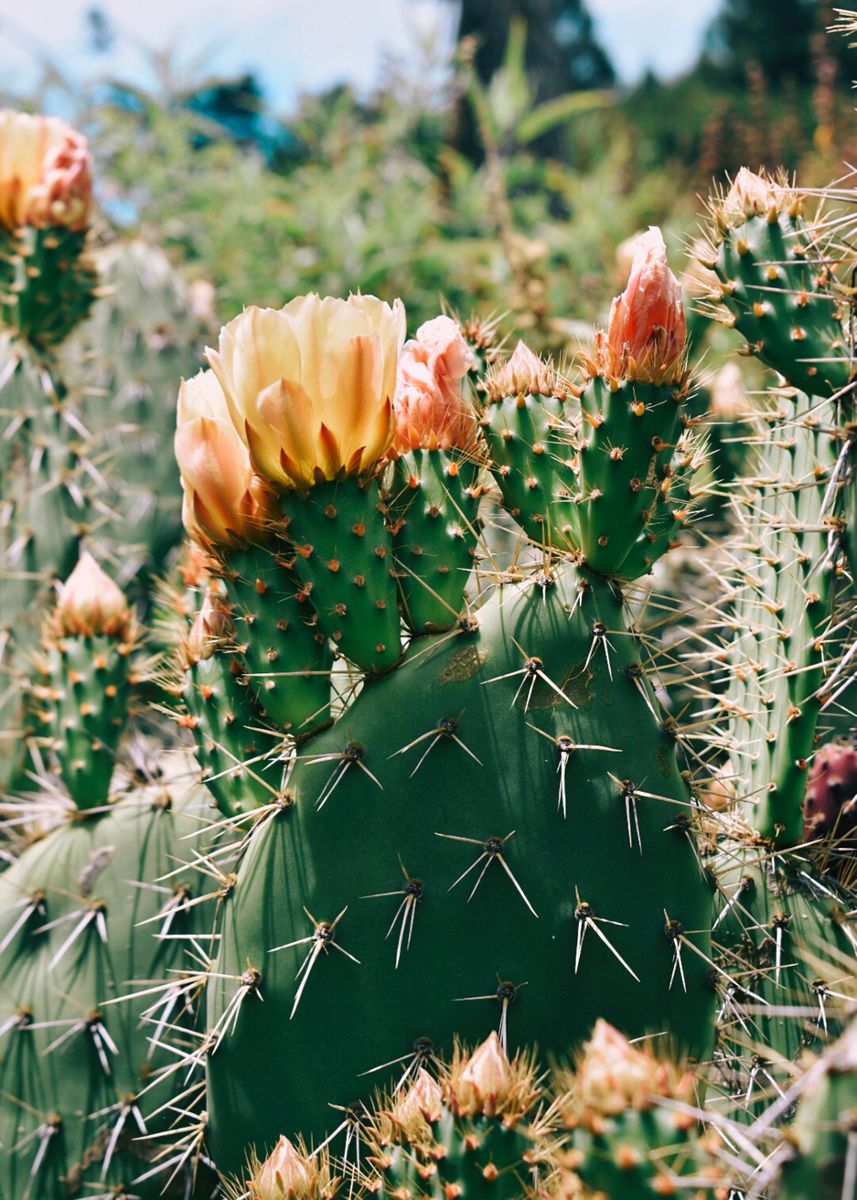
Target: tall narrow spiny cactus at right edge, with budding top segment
x,y
782,921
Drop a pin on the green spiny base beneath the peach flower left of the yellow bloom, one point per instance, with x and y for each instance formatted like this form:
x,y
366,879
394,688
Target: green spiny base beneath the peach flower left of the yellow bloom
x,y
287,656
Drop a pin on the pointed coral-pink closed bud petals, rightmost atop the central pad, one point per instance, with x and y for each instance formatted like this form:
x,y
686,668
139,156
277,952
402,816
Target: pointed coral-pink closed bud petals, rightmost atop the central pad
x,y
646,334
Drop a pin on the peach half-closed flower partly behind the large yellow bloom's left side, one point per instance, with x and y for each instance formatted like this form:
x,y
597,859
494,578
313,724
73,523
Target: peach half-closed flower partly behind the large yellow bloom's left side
x,y
224,501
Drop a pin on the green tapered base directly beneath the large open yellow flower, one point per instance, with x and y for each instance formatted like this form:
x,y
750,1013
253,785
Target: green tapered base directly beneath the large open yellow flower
x,y
344,556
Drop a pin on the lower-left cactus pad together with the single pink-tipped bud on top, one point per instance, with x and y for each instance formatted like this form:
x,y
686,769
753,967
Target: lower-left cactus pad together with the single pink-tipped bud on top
x,y
95,910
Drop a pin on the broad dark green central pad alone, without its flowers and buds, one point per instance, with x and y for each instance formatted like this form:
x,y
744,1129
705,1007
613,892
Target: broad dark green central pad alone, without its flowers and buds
x,y
394,904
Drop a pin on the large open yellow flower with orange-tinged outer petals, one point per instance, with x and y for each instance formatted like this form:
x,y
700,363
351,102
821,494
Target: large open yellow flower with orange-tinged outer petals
x,y
310,386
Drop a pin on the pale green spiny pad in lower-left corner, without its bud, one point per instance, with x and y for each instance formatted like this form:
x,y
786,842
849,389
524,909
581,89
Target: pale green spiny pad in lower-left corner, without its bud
x,y
77,933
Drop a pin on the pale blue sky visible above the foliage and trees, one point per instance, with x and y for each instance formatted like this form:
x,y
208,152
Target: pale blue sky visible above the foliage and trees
x,y
304,45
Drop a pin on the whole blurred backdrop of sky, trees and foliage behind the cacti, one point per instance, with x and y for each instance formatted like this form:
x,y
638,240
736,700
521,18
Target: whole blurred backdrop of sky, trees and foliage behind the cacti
x,y
484,154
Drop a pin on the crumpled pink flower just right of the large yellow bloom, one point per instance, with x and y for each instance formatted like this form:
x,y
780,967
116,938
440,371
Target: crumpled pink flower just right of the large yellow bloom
x,y
429,406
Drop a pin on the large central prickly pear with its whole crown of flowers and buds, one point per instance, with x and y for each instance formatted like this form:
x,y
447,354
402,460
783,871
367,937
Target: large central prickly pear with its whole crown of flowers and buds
x,y
494,829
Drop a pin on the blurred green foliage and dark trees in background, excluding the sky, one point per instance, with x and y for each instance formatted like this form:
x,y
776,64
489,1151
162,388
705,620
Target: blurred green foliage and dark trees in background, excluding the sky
x,y
501,178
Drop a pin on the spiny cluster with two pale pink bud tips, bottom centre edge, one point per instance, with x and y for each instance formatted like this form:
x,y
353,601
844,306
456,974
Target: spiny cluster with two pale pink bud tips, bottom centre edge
x,y
475,1132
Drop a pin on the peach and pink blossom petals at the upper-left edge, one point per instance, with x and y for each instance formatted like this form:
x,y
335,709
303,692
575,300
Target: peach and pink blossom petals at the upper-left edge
x,y
46,173
